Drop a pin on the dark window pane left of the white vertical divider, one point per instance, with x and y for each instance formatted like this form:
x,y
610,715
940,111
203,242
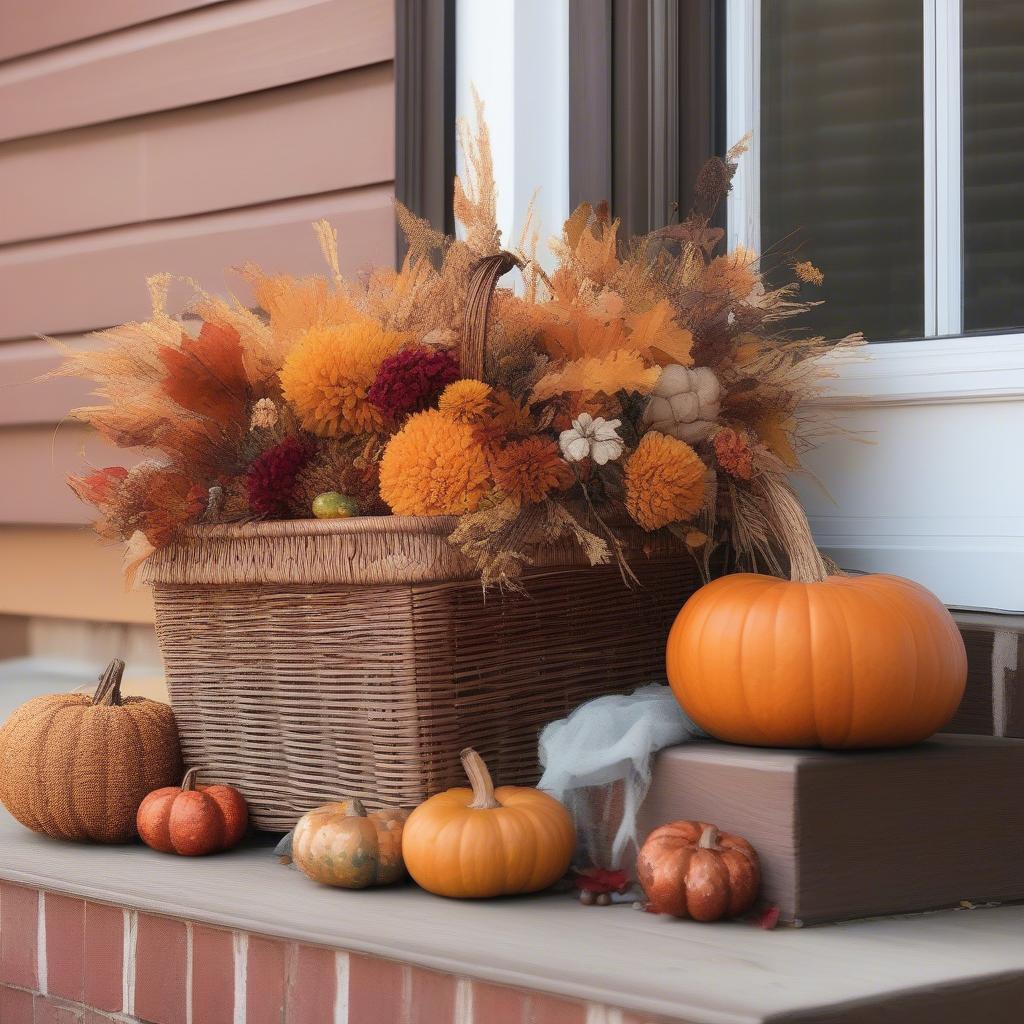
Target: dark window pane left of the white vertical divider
x,y
842,170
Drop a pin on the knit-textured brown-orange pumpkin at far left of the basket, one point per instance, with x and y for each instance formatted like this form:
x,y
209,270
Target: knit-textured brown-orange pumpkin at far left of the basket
x,y
77,767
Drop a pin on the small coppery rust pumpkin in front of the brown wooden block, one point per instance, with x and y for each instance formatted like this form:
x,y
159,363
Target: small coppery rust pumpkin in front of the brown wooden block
x,y
692,870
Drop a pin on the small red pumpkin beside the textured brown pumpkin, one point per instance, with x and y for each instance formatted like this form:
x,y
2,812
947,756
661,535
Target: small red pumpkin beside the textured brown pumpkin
x,y
193,821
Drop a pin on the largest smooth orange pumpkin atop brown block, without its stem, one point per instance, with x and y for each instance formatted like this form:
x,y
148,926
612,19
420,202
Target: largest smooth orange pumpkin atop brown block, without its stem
x,y
842,662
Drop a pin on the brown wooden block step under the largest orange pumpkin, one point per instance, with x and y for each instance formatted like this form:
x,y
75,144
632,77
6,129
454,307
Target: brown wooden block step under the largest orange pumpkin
x,y
856,835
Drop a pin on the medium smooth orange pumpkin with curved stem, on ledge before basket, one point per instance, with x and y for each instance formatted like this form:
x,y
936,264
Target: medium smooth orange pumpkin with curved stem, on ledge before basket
x,y
486,842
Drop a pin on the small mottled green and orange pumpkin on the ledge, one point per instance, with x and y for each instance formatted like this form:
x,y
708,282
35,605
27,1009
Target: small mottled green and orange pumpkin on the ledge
x,y
342,845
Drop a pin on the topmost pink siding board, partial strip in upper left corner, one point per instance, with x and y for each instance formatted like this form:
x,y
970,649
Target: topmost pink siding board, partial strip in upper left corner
x,y
67,21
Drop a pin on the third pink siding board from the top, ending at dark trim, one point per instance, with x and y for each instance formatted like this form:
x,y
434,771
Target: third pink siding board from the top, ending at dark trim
x,y
320,137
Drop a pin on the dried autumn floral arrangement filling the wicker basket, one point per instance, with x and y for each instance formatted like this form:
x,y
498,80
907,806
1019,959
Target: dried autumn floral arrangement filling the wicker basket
x,y
648,383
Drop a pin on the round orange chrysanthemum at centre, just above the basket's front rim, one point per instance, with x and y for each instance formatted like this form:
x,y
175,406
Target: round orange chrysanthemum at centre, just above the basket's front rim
x,y
435,466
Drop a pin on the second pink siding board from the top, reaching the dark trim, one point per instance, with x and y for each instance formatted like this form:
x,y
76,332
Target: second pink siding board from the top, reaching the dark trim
x,y
224,51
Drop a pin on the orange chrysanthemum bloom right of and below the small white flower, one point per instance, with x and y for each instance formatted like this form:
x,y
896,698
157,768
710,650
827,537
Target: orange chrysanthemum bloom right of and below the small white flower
x,y
665,482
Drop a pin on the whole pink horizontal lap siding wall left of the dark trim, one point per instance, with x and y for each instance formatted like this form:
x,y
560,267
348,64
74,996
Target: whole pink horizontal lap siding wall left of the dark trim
x,y
168,136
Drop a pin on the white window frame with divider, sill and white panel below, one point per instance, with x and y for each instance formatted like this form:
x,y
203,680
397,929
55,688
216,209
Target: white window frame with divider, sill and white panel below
x,y
972,557
